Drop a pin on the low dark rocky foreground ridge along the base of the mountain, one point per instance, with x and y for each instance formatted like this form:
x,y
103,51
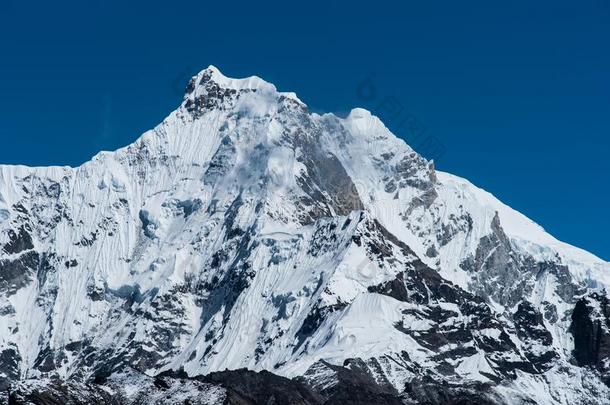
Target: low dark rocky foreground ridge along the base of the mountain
x,y
323,384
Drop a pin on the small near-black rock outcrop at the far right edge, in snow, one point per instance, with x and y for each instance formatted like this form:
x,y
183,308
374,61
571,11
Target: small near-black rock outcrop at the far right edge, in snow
x,y
591,331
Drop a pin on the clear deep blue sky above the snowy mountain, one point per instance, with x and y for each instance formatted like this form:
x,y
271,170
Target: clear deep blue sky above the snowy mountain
x,y
518,93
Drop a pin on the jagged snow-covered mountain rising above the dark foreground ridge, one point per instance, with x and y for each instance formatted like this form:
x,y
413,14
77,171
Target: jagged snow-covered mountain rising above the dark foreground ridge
x,y
246,232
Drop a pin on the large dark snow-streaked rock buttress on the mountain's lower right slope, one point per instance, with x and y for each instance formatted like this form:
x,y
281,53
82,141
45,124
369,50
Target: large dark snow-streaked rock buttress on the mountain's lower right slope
x,y
461,332
